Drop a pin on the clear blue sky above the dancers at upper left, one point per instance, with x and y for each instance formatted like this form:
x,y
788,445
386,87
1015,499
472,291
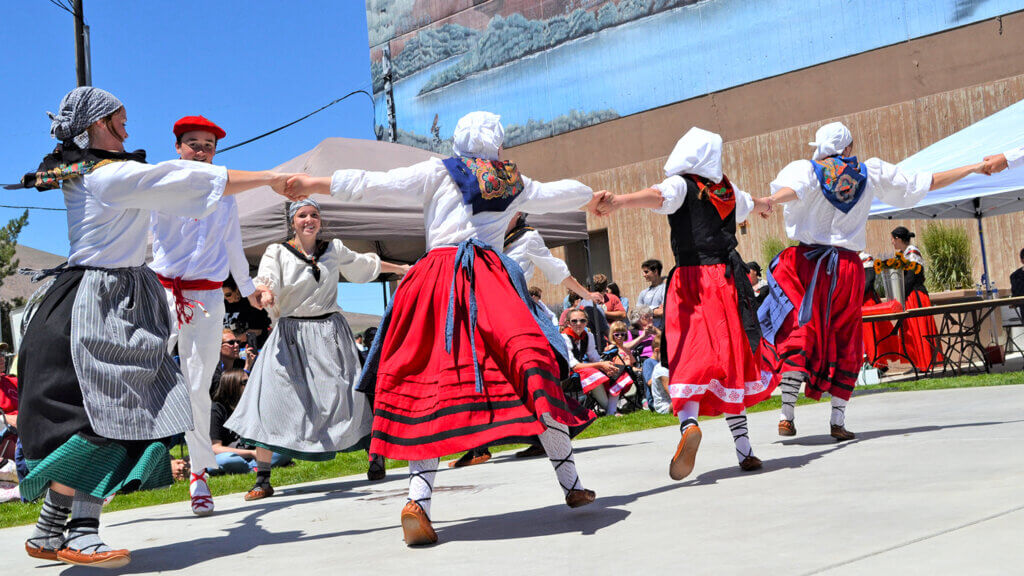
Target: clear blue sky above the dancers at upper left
x,y
250,67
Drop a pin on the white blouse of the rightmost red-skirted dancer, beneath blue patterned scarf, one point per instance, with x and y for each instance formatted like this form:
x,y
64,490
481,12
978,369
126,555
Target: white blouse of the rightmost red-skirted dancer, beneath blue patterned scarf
x,y
813,220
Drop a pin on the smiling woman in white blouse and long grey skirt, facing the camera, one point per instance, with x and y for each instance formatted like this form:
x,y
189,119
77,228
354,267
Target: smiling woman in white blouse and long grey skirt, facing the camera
x,y
302,399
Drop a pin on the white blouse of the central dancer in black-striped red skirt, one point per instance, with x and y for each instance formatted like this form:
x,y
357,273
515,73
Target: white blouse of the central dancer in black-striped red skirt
x,y
448,221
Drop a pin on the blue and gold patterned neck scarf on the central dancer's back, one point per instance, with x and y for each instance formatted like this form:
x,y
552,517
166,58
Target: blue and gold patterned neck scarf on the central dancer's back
x,y
487,186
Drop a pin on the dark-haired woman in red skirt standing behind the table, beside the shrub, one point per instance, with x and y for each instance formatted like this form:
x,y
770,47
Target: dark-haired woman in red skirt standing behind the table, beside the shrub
x,y
917,332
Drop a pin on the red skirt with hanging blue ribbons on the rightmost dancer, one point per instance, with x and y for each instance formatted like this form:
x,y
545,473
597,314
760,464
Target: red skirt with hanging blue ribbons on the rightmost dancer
x,y
830,349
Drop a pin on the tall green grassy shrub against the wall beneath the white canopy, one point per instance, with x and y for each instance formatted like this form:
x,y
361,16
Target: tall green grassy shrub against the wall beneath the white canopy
x,y
948,258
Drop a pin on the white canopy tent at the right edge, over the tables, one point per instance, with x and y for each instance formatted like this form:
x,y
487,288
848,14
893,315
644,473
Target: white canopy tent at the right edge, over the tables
x,y
977,196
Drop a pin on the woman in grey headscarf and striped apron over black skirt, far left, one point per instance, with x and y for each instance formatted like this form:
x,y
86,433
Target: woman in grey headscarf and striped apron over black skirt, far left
x,y
100,393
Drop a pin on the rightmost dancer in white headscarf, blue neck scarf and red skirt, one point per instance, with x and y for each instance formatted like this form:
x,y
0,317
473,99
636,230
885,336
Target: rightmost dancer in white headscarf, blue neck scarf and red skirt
x,y
812,321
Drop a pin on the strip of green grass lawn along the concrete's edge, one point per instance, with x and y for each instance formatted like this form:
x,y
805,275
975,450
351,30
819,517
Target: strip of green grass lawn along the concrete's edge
x,y
16,514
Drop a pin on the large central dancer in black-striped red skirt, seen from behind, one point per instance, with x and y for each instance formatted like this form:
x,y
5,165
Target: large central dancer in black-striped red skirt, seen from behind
x,y
460,359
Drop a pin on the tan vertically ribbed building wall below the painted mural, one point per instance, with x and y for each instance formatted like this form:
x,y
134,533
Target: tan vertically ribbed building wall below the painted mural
x,y
892,133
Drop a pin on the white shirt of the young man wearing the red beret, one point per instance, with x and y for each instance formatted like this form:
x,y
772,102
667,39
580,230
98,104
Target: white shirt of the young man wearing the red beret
x,y
204,250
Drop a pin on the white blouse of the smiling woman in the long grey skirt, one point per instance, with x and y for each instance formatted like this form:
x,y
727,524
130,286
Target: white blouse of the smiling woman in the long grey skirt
x,y
297,293
